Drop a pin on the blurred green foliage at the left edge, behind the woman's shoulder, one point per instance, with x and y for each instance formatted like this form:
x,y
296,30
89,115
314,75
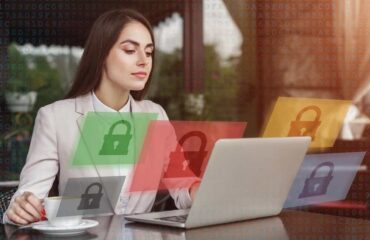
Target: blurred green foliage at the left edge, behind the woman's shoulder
x,y
27,72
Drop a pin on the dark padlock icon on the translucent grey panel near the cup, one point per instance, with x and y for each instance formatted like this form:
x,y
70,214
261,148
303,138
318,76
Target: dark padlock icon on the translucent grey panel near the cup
x,y
91,200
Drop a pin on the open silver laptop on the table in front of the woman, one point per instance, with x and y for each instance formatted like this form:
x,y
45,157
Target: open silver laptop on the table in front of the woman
x,y
245,179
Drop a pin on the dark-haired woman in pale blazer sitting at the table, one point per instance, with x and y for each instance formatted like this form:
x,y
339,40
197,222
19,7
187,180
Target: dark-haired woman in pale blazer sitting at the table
x,y
113,75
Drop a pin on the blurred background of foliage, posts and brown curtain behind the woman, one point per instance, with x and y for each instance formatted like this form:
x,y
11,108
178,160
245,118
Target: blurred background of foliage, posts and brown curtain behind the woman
x,y
215,60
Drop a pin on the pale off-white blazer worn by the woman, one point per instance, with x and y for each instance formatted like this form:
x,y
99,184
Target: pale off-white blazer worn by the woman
x,y
57,126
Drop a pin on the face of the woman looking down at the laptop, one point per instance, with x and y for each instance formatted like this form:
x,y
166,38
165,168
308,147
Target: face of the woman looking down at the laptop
x,y
129,61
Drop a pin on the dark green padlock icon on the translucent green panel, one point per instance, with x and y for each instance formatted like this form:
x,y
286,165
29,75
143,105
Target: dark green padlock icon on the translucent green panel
x,y
116,144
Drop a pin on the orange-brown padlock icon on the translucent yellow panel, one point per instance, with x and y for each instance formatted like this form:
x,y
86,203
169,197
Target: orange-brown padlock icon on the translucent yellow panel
x,y
305,128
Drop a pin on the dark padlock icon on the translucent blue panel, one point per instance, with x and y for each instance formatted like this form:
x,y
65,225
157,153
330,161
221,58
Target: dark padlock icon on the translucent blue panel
x,y
316,186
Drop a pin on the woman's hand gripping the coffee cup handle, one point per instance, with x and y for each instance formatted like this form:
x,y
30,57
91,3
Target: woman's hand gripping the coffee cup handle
x,y
25,209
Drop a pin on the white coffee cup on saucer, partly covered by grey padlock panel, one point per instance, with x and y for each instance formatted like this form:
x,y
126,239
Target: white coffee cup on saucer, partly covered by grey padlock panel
x,y
52,204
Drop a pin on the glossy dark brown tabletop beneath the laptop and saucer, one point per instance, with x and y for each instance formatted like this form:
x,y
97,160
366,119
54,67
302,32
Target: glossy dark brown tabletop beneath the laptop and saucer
x,y
287,225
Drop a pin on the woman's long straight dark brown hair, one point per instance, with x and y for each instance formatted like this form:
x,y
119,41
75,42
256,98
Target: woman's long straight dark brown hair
x,y
104,33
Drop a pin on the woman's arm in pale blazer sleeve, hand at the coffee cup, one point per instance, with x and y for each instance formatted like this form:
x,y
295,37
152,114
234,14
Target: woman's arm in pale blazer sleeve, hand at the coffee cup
x,y
38,173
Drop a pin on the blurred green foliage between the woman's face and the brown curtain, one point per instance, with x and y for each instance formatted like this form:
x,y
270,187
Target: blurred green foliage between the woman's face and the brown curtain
x,y
220,91
